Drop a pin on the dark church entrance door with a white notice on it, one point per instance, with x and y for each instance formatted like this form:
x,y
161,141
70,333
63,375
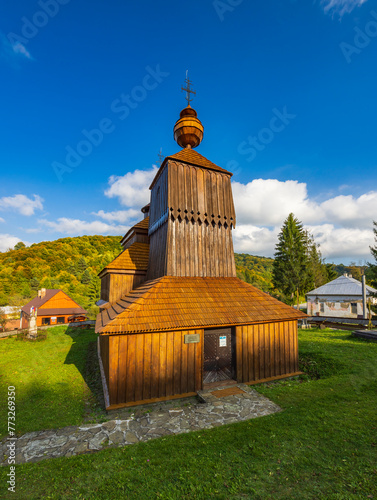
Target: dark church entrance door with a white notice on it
x,y
218,355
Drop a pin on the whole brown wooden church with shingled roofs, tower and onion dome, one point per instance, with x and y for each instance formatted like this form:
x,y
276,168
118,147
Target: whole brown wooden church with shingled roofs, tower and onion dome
x,y
174,316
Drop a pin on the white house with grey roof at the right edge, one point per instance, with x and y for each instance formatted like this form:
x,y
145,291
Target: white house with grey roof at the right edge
x,y
342,297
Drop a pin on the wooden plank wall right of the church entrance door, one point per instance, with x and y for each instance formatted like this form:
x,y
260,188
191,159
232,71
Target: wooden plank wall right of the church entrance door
x,y
266,350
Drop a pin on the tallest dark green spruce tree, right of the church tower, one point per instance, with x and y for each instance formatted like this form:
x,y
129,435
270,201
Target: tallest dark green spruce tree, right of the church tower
x,y
290,268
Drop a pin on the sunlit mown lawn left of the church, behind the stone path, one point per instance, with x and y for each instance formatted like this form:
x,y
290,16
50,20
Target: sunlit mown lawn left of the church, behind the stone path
x,y
50,377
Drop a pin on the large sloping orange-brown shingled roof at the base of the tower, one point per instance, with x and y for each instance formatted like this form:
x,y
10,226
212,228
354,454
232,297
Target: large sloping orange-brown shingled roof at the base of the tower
x,y
173,302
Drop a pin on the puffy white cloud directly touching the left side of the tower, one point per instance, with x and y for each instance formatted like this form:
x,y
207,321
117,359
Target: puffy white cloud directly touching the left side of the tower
x,y
132,189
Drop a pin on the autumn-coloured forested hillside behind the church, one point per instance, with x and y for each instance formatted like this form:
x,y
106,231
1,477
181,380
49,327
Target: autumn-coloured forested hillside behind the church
x,y
72,264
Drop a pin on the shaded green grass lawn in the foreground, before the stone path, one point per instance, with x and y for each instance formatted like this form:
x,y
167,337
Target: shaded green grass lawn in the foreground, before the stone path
x,y
322,446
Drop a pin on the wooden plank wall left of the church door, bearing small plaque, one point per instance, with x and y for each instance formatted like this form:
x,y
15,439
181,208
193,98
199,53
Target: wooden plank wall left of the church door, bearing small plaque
x,y
151,366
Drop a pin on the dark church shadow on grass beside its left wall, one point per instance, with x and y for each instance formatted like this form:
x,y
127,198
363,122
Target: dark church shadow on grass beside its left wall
x,y
84,356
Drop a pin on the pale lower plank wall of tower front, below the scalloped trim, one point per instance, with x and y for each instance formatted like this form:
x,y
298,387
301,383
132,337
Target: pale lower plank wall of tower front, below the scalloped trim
x,y
199,249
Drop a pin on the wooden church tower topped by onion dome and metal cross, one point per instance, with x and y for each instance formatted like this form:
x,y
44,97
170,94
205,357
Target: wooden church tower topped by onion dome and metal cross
x,y
191,213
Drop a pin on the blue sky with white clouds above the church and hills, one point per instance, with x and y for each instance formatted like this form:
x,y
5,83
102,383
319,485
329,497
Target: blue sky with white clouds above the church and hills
x,y
286,91
